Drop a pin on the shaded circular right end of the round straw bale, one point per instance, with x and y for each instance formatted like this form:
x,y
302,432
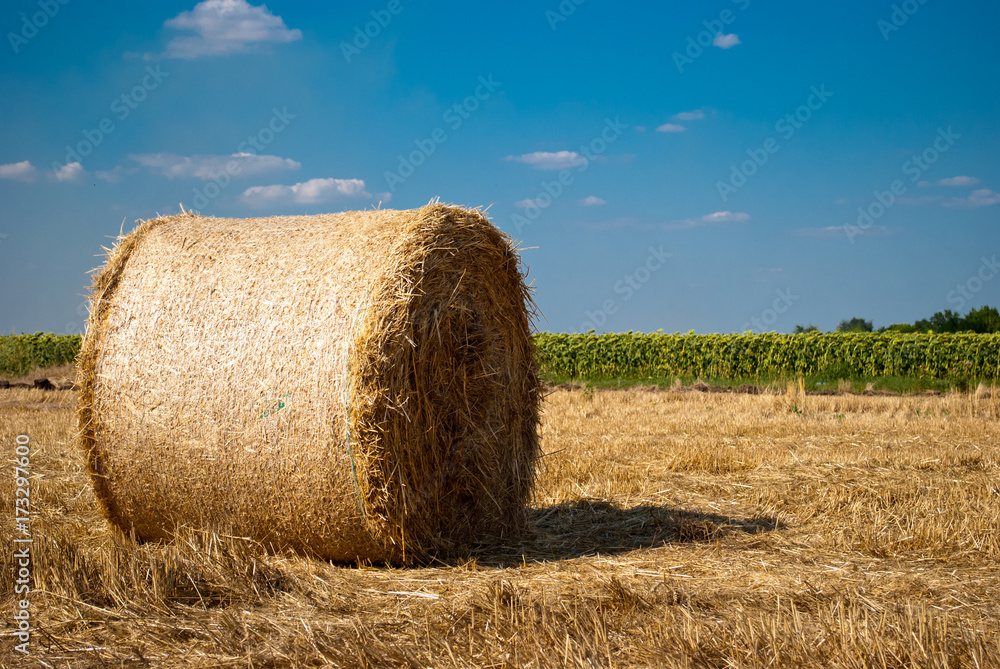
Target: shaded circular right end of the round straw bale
x,y
445,391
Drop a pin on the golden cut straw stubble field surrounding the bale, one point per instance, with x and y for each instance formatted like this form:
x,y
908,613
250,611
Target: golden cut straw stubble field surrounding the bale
x,y
668,529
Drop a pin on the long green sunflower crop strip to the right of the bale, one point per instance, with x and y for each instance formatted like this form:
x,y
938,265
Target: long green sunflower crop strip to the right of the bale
x,y
740,356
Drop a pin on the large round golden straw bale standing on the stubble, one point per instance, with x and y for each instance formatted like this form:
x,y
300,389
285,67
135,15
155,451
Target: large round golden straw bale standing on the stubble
x,y
358,386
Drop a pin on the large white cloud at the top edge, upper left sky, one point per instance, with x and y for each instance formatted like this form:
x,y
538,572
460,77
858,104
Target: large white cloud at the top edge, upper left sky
x,y
225,26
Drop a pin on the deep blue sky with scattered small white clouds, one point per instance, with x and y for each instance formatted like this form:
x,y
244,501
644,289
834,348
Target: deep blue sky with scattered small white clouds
x,y
714,166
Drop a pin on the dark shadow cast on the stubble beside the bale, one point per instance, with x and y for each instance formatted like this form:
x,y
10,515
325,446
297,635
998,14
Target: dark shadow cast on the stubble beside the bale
x,y
588,527
